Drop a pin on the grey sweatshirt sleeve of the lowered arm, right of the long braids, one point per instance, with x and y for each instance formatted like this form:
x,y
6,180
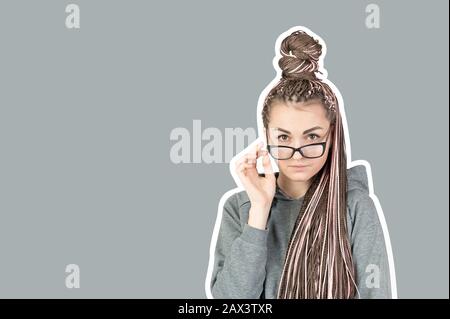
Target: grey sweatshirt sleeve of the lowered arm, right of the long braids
x,y
369,252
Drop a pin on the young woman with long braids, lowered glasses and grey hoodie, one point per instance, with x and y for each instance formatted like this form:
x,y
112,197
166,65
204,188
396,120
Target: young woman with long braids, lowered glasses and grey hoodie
x,y
310,230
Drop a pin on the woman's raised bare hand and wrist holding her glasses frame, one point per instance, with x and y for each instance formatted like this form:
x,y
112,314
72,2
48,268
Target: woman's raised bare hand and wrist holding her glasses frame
x,y
260,190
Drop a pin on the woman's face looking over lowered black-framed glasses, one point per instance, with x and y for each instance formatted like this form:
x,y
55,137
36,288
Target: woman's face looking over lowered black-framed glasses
x,y
296,124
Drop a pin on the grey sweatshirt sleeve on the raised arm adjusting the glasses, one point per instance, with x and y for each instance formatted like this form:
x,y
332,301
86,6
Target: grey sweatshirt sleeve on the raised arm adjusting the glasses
x,y
240,257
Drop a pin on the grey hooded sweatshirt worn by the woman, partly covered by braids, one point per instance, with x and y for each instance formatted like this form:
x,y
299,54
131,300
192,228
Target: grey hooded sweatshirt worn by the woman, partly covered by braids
x,y
248,261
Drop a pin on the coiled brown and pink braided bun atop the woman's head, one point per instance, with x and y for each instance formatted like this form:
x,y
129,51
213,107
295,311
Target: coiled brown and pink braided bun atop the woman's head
x,y
300,55
